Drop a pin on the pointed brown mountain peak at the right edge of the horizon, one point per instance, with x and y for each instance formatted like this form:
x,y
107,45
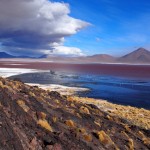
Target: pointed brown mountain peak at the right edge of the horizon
x,y
140,55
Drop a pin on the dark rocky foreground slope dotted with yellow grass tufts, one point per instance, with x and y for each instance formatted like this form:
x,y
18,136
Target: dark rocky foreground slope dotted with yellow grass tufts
x,y
35,119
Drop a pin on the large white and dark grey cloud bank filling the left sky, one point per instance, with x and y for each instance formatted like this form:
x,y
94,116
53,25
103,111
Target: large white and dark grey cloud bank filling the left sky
x,y
37,26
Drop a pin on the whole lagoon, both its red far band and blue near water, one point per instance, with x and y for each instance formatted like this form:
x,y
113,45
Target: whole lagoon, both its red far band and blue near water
x,y
117,83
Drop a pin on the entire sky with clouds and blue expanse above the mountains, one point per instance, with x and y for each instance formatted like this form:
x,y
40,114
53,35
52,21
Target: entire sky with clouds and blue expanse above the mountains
x,y
74,27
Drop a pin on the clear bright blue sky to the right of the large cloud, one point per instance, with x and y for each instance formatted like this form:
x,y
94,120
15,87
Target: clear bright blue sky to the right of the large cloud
x,y
117,26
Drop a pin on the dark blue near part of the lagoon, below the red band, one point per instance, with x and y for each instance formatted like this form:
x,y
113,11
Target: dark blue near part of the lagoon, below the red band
x,y
126,91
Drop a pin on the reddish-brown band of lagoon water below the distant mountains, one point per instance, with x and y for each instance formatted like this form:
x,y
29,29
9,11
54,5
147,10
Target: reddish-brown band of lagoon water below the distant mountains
x,y
123,70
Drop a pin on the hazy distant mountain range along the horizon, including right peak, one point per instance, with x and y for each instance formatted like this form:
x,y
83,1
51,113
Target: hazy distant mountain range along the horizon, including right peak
x,y
140,55
